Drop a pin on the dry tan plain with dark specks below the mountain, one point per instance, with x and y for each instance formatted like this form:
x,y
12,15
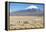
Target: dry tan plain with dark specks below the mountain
x,y
22,22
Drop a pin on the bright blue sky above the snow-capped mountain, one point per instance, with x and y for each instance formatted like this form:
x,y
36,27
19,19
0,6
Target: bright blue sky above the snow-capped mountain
x,y
18,6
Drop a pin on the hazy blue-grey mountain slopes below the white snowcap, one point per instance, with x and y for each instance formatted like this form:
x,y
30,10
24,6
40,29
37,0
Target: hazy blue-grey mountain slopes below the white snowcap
x,y
27,12
